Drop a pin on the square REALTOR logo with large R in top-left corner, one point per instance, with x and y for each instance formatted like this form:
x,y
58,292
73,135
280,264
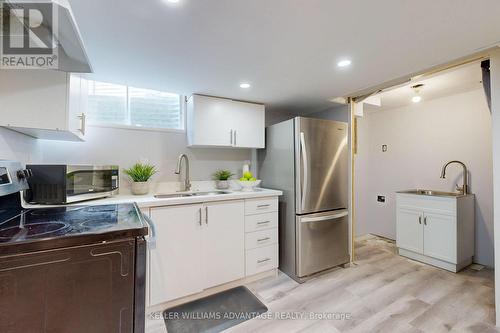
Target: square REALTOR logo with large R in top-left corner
x,y
27,35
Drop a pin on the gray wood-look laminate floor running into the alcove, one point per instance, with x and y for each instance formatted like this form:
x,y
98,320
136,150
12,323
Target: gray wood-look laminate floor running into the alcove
x,y
383,292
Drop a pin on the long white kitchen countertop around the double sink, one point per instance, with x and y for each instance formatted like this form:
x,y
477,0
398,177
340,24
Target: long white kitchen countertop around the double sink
x,y
149,200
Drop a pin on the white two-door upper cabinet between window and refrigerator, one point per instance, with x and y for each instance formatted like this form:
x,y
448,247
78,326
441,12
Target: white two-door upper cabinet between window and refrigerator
x,y
219,122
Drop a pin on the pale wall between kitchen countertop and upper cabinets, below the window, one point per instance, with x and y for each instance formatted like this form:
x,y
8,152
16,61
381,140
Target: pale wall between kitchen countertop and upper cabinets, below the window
x,y
124,147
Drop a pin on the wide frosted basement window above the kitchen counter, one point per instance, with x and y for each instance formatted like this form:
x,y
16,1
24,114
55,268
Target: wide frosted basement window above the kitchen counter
x,y
113,105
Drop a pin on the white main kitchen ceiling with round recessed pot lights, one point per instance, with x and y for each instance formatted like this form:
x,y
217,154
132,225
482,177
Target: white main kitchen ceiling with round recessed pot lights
x,y
287,49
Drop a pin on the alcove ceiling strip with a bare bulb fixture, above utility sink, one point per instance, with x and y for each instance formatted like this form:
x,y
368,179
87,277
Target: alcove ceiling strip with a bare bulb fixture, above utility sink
x,y
450,82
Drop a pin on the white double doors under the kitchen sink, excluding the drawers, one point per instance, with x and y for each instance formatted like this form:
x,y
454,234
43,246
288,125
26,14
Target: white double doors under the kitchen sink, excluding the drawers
x,y
197,247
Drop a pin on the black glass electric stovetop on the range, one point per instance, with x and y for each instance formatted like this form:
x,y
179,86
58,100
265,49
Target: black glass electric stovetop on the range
x,y
49,228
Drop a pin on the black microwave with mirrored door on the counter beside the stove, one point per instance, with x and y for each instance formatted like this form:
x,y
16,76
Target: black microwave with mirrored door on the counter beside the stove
x,y
63,184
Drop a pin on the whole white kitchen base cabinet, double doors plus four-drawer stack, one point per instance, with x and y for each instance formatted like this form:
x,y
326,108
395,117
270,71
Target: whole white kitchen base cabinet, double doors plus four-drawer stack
x,y
204,245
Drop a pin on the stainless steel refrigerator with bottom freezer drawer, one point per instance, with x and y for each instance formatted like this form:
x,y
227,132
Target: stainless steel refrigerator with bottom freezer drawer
x,y
308,160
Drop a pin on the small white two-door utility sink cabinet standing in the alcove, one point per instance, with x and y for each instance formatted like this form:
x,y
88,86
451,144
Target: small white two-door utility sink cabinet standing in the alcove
x,y
438,230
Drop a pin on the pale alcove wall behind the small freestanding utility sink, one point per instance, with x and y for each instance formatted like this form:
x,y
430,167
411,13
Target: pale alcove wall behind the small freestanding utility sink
x,y
421,138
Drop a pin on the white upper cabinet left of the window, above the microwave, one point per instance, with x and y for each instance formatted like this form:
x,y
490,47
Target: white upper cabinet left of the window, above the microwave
x,y
43,104
